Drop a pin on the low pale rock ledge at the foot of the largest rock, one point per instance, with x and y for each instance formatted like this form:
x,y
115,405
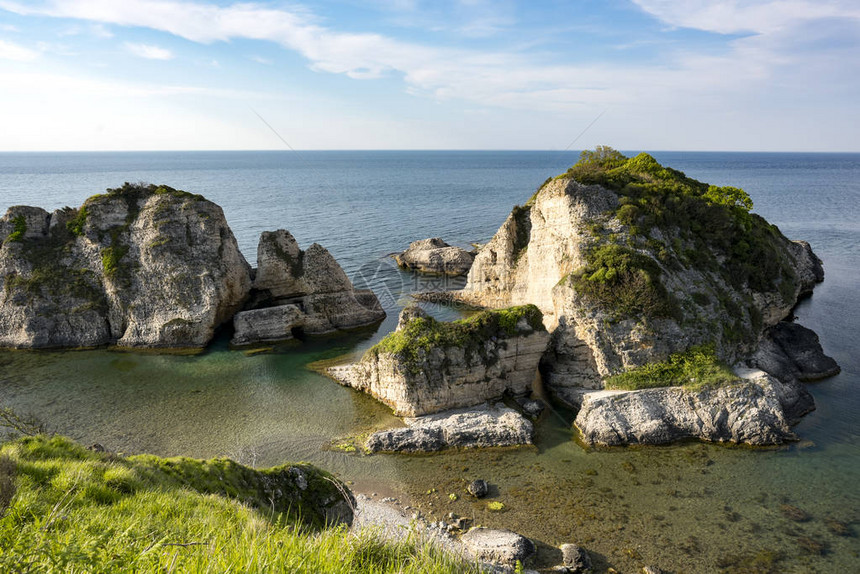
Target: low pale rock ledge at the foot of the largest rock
x,y
747,411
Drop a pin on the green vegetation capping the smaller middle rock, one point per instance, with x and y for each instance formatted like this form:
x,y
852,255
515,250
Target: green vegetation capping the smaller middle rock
x,y
423,334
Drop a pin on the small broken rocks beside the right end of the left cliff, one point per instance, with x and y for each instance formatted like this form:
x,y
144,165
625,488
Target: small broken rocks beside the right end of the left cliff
x,y
297,293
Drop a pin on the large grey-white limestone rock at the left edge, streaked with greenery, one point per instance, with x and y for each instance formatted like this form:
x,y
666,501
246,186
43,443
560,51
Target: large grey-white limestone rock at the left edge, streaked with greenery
x,y
139,266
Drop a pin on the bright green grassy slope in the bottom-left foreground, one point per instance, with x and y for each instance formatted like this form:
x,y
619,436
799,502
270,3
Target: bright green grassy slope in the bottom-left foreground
x,y
72,510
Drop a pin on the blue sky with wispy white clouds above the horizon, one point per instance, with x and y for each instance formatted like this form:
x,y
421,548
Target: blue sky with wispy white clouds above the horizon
x,y
745,75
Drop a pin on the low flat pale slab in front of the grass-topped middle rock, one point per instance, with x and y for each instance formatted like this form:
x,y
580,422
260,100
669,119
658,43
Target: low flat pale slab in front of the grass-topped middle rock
x,y
464,428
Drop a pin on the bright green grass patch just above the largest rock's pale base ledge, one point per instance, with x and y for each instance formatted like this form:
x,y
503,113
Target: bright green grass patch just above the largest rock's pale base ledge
x,y
696,368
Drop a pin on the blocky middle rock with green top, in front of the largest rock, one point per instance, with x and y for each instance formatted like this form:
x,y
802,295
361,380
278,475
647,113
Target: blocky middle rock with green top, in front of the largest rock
x,y
430,366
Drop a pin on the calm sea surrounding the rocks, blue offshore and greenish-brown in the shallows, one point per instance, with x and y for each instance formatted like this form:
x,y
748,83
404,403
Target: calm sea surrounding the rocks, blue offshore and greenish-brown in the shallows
x,y
690,507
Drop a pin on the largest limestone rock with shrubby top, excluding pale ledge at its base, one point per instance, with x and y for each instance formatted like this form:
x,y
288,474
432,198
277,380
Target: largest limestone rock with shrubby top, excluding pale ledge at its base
x,y
700,288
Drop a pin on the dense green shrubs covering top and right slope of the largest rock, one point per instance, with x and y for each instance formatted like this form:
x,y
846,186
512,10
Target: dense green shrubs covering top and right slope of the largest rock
x,y
704,226
